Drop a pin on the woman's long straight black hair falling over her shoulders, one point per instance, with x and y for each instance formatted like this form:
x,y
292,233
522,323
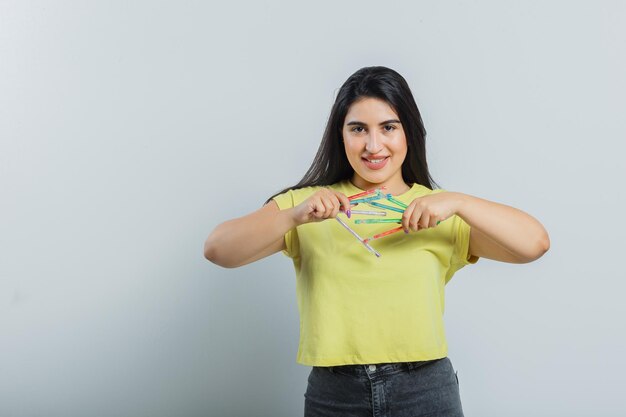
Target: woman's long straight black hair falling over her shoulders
x,y
331,164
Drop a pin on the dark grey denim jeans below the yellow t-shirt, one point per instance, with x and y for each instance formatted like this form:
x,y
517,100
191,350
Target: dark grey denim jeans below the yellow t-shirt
x,y
403,389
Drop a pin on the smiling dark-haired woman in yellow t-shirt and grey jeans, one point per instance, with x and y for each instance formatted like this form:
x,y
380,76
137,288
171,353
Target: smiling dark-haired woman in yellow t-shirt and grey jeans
x,y
371,310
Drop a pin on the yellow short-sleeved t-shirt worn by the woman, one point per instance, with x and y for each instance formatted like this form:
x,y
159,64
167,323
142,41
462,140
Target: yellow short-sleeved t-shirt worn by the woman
x,y
356,308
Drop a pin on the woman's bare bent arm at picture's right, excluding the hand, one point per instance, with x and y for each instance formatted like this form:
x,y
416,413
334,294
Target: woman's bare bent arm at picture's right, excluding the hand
x,y
511,228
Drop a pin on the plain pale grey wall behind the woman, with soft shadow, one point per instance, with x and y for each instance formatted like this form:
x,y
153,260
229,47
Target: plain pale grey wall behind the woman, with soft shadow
x,y
129,130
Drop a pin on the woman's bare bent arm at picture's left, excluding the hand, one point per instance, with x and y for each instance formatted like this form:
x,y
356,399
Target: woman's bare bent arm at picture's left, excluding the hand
x,y
237,240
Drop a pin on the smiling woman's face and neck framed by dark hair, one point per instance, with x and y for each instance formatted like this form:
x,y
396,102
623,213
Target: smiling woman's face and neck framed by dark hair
x,y
375,145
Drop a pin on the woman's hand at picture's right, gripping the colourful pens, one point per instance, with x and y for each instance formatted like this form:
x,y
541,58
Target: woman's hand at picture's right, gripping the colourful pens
x,y
426,211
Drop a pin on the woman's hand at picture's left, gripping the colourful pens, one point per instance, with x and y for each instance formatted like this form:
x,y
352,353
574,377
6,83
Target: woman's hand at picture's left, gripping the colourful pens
x,y
322,205
